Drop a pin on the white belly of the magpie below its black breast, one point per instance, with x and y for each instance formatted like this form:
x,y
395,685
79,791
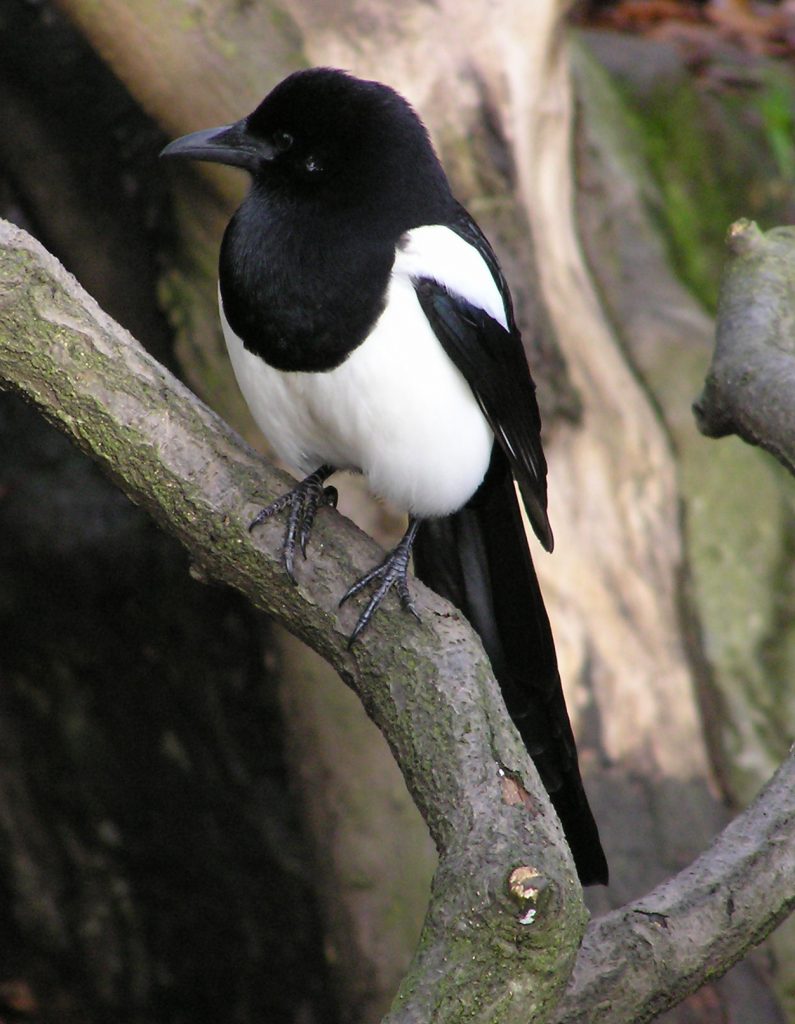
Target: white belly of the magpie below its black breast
x,y
397,409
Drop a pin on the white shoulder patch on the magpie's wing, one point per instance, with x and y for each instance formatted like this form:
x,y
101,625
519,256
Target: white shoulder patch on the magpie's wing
x,y
438,253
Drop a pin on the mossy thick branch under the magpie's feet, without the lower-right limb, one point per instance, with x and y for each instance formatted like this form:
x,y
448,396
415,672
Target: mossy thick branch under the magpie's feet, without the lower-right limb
x,y
430,689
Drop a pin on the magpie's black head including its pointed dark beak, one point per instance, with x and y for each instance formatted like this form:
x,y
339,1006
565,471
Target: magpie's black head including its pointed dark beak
x,y
322,136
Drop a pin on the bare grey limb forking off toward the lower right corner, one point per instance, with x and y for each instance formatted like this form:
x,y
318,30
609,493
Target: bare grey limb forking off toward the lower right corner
x,y
649,956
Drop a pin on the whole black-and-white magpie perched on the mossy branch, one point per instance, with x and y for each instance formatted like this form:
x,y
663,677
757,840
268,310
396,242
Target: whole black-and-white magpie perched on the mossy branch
x,y
371,329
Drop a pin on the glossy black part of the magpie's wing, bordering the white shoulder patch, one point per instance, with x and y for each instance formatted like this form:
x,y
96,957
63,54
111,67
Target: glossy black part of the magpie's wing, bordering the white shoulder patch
x,y
493,363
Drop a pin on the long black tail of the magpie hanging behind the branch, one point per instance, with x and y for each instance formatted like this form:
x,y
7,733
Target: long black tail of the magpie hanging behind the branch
x,y
479,560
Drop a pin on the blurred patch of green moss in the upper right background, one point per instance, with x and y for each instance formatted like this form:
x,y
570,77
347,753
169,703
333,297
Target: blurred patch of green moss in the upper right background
x,y
716,156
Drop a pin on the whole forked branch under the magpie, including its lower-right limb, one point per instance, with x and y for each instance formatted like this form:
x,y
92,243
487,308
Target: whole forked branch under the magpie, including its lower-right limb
x,y
430,689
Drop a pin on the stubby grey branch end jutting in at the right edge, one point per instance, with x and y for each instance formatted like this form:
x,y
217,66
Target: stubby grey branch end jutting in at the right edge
x,y
751,382
